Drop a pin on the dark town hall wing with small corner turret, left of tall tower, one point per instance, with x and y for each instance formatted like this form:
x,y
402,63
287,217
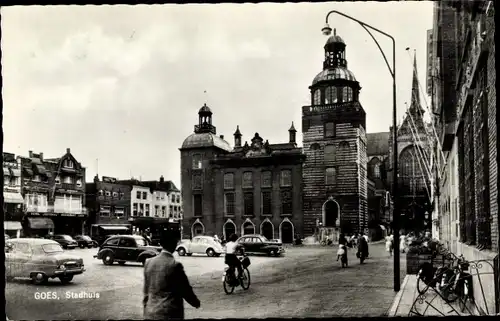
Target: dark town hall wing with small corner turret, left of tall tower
x,y
251,188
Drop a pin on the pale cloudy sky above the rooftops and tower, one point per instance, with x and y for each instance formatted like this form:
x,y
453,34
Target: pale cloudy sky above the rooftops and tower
x,y
121,85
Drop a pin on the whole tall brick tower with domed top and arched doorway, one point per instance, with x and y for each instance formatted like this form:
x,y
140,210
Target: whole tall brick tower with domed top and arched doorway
x,y
334,141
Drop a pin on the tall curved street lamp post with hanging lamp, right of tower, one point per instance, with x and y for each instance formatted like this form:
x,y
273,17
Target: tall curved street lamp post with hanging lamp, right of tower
x,y
327,31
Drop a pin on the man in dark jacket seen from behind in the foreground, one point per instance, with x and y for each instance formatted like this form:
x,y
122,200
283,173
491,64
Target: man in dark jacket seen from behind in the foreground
x,y
166,285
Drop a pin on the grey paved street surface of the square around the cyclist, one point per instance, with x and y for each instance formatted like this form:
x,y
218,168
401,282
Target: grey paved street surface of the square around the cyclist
x,y
307,282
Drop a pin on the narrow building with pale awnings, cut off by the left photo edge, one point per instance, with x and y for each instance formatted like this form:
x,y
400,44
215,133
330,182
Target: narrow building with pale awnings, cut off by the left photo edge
x,y
13,200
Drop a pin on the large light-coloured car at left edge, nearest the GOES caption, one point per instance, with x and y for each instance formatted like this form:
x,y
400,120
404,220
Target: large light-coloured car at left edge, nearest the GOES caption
x,y
40,259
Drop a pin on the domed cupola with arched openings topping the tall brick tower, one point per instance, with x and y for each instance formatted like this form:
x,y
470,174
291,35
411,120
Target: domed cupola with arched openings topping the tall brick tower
x,y
335,84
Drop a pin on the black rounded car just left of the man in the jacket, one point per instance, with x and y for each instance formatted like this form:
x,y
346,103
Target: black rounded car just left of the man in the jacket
x,y
126,248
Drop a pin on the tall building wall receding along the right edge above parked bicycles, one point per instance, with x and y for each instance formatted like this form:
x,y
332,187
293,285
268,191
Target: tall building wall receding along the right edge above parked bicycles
x,y
464,103
